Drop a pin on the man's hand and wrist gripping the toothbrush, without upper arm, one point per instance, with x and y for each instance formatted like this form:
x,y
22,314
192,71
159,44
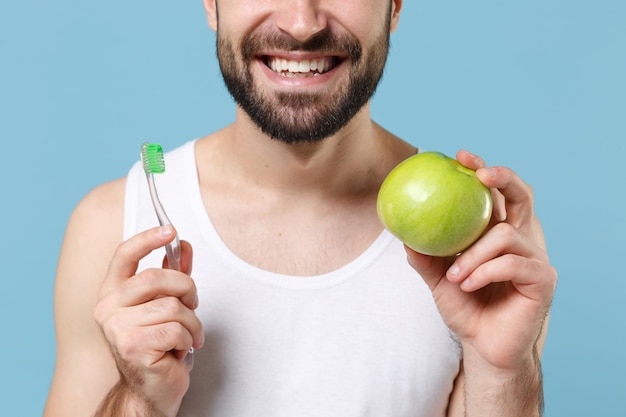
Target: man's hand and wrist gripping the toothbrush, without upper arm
x,y
148,320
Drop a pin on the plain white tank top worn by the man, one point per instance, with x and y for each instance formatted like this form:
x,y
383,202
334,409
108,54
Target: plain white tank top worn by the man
x,y
364,340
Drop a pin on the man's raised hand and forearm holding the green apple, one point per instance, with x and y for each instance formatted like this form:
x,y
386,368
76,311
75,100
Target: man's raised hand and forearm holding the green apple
x,y
496,296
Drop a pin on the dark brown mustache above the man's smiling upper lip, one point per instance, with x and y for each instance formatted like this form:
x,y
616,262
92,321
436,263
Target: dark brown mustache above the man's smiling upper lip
x,y
324,42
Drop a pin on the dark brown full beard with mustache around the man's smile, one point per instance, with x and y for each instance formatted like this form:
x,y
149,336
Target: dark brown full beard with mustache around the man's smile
x,y
292,117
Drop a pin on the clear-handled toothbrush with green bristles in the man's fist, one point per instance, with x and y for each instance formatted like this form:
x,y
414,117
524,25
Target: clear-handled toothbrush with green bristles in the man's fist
x,y
154,163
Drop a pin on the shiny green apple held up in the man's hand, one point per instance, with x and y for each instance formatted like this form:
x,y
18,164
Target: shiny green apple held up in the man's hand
x,y
433,204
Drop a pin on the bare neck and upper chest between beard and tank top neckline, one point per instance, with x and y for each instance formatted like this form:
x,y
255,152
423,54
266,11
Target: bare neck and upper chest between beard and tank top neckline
x,y
256,189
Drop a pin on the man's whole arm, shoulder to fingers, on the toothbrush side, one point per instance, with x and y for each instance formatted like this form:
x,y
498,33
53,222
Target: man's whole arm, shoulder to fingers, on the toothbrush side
x,y
129,361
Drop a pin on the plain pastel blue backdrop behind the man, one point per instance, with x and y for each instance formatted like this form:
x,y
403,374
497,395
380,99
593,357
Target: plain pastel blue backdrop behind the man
x,y
539,86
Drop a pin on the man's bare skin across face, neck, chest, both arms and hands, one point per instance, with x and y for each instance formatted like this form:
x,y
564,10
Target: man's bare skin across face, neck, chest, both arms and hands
x,y
132,329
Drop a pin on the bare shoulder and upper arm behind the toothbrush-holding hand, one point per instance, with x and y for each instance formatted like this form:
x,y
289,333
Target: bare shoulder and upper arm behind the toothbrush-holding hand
x,y
84,369
